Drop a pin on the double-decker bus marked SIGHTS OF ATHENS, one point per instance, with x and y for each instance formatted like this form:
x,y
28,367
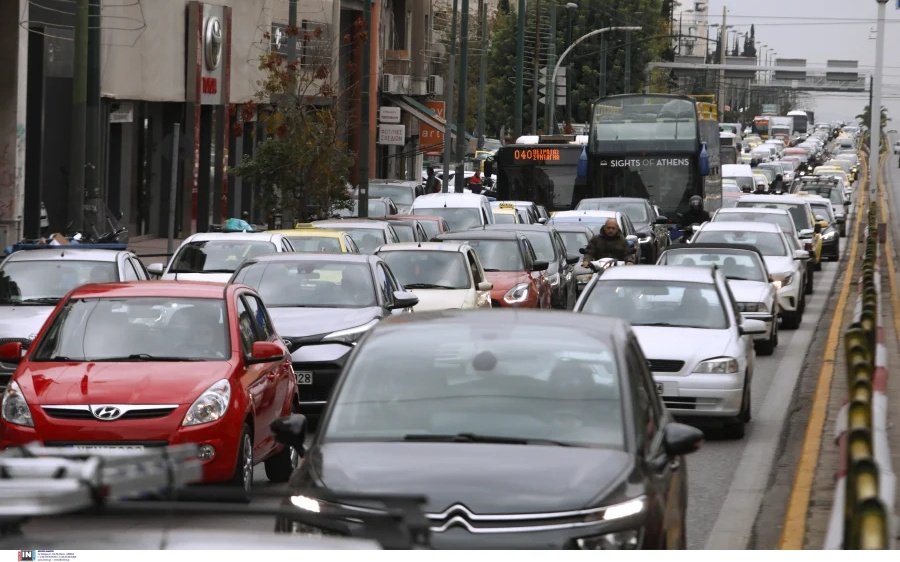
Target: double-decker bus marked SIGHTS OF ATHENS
x,y
661,147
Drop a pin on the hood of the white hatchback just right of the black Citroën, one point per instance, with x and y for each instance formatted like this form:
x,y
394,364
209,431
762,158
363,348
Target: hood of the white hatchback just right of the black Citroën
x,y
685,344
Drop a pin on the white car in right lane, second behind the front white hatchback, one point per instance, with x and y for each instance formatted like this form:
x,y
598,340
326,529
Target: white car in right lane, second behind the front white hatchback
x,y
782,260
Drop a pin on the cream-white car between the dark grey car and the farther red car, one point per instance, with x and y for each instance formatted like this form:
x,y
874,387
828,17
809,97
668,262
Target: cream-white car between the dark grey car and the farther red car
x,y
444,275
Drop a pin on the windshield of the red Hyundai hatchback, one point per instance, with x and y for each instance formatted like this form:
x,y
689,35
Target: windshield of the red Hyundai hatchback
x,y
137,329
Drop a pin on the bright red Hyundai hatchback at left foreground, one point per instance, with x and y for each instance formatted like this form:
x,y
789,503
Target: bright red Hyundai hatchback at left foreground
x,y
153,363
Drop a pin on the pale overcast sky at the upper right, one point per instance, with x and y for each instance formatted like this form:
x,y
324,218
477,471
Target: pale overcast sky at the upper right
x,y
819,30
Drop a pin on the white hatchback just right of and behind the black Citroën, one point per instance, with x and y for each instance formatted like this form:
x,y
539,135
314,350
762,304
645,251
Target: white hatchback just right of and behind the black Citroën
x,y
699,348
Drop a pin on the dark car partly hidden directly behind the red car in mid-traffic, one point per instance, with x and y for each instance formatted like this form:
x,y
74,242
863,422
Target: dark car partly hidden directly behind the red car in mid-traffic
x,y
549,246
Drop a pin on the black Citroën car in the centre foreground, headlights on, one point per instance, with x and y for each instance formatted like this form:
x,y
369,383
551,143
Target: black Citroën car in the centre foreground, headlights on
x,y
524,429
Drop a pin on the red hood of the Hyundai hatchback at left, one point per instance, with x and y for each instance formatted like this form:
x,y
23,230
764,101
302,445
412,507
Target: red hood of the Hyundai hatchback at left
x,y
130,382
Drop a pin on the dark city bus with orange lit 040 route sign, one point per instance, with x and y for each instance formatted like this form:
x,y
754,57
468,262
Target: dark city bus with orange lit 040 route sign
x,y
543,169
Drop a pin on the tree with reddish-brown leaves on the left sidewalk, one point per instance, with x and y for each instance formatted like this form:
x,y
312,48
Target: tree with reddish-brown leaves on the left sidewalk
x,y
301,165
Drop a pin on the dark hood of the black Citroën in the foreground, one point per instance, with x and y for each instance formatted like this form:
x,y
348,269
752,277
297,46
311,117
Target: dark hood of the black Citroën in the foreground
x,y
570,477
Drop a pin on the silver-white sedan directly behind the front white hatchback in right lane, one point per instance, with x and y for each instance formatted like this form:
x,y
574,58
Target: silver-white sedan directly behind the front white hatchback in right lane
x,y
748,279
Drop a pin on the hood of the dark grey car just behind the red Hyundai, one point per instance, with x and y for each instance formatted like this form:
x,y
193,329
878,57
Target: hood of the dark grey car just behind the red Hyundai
x,y
296,322
